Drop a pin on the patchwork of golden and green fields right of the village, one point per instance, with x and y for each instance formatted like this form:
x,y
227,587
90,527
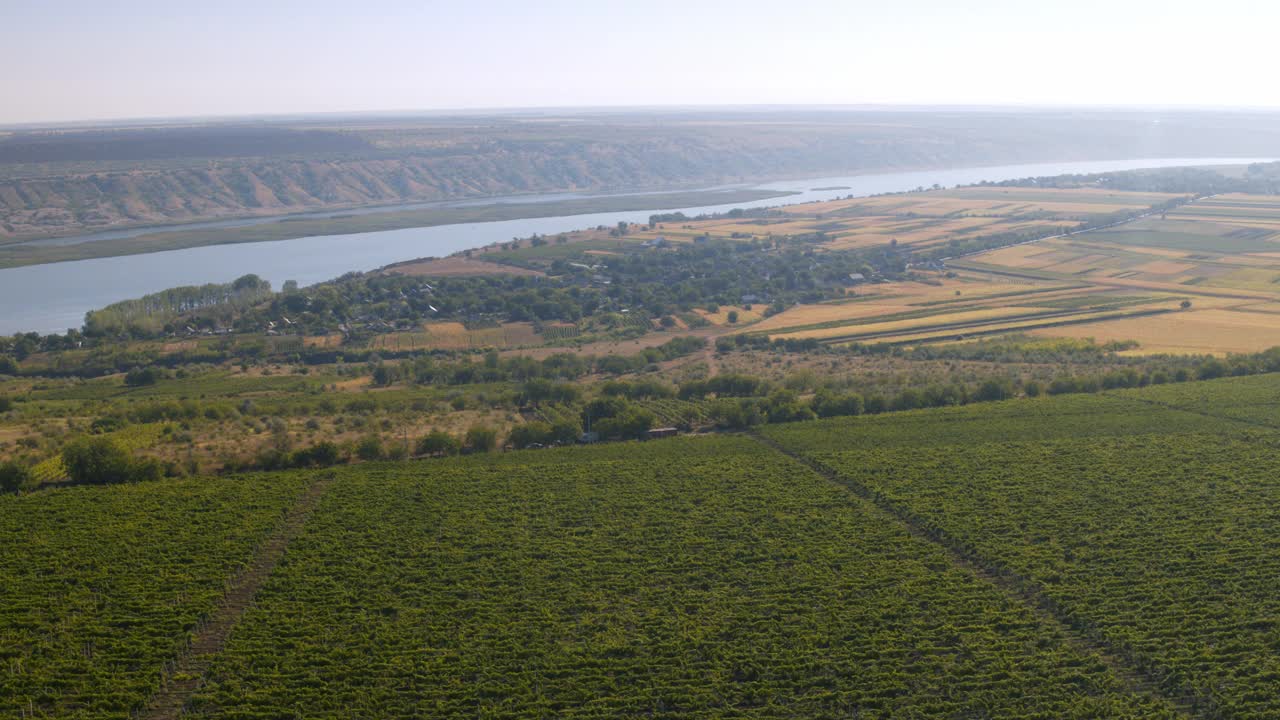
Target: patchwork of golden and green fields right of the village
x,y
1200,279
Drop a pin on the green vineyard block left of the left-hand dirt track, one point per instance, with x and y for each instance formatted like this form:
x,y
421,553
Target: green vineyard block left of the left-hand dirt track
x,y
100,586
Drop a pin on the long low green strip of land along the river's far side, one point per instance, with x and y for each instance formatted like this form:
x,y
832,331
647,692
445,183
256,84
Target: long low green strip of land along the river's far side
x,y
294,229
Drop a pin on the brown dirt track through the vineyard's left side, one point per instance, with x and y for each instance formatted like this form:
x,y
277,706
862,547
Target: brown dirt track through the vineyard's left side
x,y
186,675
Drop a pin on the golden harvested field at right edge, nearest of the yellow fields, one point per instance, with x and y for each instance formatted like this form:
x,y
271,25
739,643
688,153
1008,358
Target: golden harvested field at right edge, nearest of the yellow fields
x,y
1210,331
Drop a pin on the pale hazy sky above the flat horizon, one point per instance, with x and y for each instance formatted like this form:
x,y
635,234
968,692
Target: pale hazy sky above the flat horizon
x,y
77,60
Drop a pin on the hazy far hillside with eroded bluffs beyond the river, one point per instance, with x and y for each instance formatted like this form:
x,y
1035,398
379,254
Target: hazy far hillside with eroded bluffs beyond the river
x,y
65,183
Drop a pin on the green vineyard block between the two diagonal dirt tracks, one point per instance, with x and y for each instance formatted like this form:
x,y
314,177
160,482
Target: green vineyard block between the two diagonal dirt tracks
x,y
691,578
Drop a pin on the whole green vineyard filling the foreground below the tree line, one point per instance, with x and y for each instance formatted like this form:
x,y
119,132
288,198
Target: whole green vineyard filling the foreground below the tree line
x,y
1076,557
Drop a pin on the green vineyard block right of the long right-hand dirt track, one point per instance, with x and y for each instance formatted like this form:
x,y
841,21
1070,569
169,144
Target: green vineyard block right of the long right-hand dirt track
x,y
1164,548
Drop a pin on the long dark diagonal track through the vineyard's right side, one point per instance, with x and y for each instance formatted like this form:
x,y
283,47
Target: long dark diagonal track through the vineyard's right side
x,y
1023,591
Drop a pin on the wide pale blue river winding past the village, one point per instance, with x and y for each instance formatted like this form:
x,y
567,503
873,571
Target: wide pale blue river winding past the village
x,y
56,297
